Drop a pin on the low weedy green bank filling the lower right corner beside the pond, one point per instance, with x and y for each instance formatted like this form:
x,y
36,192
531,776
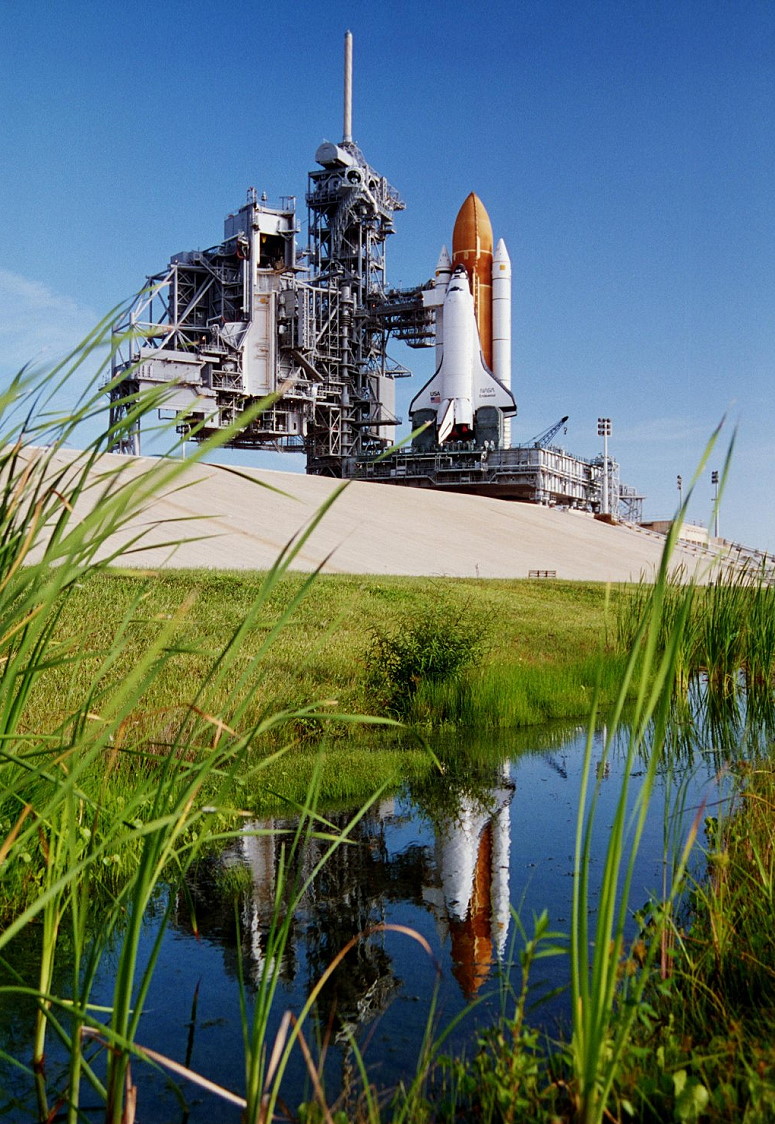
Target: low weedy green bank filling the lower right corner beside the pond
x,y
683,1020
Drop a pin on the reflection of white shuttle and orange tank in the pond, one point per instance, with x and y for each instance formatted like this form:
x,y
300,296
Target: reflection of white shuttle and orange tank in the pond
x,y
472,856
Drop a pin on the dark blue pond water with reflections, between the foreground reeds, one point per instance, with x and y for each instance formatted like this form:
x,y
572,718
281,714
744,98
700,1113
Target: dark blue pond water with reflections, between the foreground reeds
x,y
446,863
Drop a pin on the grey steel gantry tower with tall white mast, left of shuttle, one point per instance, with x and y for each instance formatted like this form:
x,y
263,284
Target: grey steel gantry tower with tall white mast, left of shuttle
x,y
249,320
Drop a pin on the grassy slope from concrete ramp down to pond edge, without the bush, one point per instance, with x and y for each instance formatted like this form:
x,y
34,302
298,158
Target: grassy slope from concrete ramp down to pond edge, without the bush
x,y
534,633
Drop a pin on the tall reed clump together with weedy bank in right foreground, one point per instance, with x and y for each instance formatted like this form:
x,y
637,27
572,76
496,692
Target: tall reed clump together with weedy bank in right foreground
x,y
636,1007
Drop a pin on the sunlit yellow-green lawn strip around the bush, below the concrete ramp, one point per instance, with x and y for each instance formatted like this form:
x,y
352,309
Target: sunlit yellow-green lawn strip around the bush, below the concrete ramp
x,y
543,649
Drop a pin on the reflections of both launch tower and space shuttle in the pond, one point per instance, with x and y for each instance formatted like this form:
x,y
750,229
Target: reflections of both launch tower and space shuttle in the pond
x,y
464,883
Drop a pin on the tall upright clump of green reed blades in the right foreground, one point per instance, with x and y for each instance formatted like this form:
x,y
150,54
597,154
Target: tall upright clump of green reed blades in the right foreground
x,y
605,1002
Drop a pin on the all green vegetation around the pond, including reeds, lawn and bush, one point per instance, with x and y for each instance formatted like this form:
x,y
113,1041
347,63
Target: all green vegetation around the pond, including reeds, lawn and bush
x,y
110,804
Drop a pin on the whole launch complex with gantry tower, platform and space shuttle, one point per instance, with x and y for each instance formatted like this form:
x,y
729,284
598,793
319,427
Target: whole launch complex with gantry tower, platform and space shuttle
x,y
253,320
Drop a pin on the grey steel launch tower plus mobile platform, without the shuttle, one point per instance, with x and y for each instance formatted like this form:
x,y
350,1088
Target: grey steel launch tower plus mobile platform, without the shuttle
x,y
247,323
